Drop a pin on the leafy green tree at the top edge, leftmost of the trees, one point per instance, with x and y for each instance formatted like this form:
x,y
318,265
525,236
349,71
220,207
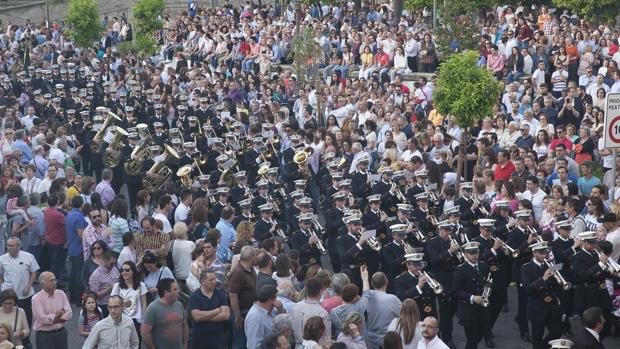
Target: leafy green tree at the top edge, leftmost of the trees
x,y
83,17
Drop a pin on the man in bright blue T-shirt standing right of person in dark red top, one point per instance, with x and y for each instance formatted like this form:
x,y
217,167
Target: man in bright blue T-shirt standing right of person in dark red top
x,y
75,224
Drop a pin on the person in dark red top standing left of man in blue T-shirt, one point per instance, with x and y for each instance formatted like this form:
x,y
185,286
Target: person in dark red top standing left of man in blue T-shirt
x,y
55,234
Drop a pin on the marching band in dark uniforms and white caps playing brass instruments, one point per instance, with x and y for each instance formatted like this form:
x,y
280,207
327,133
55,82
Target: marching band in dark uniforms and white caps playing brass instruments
x,y
457,260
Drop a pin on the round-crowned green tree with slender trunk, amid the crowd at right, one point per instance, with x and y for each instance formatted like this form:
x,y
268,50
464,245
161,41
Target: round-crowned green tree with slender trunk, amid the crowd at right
x,y
467,92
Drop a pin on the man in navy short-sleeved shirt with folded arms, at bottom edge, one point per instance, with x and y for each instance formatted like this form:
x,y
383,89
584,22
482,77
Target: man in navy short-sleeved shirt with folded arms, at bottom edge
x,y
209,309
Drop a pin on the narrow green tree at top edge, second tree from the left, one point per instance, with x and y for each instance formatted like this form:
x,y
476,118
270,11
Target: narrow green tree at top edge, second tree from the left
x,y
147,17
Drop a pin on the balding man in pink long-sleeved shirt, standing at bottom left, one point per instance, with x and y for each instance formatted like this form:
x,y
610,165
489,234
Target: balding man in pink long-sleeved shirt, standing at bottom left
x,y
50,311
